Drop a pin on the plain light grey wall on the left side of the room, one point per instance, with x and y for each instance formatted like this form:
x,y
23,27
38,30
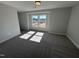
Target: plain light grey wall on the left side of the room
x,y
9,26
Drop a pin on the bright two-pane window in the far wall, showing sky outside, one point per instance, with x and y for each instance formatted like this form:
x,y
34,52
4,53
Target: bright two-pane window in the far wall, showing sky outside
x,y
39,21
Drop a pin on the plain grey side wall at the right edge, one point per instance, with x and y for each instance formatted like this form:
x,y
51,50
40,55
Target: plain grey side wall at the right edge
x,y
73,27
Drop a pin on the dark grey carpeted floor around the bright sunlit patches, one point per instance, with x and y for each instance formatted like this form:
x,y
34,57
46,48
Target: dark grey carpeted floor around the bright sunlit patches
x,y
51,46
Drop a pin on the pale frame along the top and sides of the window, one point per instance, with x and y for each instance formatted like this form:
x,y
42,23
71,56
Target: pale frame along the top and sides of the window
x,y
29,15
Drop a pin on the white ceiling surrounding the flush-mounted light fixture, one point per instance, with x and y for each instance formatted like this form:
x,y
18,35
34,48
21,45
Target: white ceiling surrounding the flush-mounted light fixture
x,y
29,5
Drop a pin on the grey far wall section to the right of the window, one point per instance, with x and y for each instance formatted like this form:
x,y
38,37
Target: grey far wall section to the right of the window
x,y
59,20
